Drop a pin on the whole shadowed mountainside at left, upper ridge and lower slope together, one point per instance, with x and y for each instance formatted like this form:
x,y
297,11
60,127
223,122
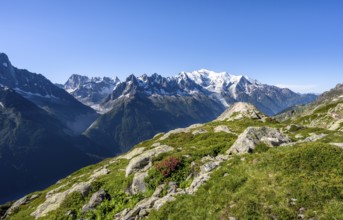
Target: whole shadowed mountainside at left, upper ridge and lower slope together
x,y
39,132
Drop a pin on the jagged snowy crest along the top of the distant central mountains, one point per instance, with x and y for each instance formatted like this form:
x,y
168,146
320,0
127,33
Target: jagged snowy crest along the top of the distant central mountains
x,y
222,87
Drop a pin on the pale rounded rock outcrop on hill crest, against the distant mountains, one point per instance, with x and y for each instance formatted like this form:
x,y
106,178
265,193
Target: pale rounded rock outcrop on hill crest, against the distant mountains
x,y
241,110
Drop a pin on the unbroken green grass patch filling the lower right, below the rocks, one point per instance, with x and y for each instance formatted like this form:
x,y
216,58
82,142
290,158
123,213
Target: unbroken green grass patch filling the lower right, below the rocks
x,y
272,184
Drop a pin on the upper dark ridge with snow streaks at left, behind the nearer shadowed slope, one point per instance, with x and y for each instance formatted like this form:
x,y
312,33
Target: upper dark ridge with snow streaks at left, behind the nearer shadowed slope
x,y
39,90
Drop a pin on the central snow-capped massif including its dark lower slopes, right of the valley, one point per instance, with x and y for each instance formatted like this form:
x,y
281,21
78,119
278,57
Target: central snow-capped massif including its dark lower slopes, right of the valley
x,y
140,107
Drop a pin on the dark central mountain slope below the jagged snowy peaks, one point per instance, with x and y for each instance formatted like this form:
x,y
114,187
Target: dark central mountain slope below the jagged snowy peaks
x,y
138,114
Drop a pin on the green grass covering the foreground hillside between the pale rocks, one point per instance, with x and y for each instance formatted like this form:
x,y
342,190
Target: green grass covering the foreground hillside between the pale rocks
x,y
269,183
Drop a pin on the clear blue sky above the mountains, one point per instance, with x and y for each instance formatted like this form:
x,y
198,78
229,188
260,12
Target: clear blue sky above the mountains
x,y
294,43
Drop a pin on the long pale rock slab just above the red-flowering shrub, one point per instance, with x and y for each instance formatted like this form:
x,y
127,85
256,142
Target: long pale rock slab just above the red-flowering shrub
x,y
140,161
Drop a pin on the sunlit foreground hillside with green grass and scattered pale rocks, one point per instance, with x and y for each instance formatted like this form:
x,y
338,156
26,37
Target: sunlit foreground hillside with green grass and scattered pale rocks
x,y
234,167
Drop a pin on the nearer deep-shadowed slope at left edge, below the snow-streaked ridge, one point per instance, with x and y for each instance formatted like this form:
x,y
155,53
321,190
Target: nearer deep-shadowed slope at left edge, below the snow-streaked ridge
x,y
35,149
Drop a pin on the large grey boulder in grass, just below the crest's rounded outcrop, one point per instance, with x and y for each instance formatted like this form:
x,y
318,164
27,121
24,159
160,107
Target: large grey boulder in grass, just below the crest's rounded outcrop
x,y
253,136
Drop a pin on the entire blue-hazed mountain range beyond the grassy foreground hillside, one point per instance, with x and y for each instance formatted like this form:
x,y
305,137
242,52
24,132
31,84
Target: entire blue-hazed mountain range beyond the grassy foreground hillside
x,y
49,130
